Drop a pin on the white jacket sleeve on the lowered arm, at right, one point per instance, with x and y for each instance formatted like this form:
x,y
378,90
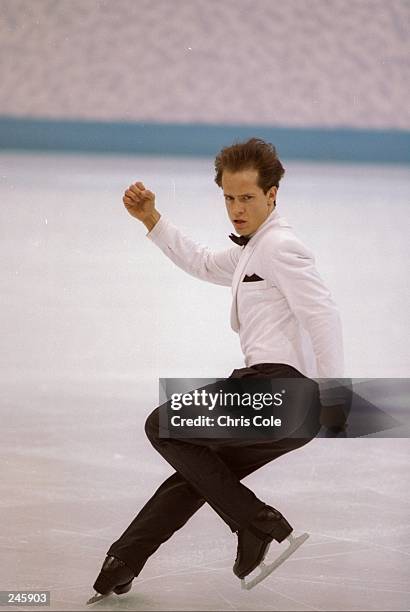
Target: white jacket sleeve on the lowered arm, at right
x,y
290,265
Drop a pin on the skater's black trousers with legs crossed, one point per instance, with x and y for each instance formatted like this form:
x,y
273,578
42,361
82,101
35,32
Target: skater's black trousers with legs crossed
x,y
207,470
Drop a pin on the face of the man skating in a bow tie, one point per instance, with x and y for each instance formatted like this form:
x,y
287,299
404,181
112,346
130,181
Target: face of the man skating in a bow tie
x,y
248,207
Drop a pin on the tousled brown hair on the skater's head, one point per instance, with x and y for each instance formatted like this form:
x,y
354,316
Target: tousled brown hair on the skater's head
x,y
254,154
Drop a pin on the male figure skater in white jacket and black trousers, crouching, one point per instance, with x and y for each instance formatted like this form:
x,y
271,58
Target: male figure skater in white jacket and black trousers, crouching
x,y
289,327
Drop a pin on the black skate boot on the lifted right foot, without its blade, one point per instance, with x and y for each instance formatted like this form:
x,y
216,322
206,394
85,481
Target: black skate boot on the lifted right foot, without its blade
x,y
254,541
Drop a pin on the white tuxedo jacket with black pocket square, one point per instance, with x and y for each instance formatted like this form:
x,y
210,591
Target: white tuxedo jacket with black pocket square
x,y
286,317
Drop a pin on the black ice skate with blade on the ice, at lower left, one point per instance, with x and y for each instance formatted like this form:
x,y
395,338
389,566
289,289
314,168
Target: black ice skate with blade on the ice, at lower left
x,y
115,576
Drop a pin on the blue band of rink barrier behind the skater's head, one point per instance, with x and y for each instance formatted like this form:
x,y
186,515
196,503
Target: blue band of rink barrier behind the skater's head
x,y
323,144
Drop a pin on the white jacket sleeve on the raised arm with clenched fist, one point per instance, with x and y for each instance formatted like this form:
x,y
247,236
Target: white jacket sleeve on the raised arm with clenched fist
x,y
193,258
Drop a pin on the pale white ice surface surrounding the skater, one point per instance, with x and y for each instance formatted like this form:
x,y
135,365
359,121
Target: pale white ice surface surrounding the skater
x,y
93,314
